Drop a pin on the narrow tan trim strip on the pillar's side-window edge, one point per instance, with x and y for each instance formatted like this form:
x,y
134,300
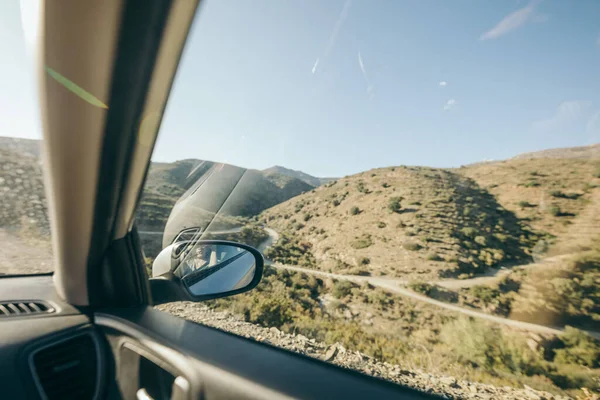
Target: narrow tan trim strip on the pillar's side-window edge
x,y
176,31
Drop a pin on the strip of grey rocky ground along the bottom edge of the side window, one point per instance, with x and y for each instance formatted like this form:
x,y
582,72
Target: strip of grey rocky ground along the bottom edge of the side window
x,y
446,386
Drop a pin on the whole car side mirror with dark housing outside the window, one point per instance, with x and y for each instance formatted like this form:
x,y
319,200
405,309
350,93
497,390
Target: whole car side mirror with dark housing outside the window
x,y
204,269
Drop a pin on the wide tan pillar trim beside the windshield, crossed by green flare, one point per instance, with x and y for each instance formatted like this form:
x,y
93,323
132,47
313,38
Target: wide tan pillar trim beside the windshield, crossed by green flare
x,y
78,40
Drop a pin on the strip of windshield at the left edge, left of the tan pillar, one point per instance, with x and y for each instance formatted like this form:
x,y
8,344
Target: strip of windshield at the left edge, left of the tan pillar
x,y
24,223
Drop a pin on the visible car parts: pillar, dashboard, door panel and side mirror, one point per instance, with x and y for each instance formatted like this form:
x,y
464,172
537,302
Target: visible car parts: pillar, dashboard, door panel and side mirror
x,y
89,330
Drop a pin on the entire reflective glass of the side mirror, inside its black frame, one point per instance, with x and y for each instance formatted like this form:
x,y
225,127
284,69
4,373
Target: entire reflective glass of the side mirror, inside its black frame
x,y
216,268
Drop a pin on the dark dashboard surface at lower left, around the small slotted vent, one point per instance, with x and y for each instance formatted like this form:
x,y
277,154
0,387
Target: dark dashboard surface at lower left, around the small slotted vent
x,y
19,333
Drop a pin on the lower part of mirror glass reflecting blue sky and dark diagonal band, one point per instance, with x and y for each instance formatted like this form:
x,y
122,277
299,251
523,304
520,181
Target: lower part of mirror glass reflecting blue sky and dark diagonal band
x,y
234,273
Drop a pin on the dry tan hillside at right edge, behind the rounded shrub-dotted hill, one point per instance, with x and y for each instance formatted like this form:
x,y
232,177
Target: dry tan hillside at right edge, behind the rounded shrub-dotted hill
x,y
551,195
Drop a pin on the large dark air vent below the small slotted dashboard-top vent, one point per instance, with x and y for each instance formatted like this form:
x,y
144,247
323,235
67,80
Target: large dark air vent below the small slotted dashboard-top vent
x,y
67,369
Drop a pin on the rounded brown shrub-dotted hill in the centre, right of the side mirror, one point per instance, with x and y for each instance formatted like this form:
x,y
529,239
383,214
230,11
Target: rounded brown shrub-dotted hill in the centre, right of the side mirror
x,y
410,222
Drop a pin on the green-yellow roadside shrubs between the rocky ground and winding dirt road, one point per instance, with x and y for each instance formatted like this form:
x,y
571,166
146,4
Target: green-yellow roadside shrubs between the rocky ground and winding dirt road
x,y
397,330
